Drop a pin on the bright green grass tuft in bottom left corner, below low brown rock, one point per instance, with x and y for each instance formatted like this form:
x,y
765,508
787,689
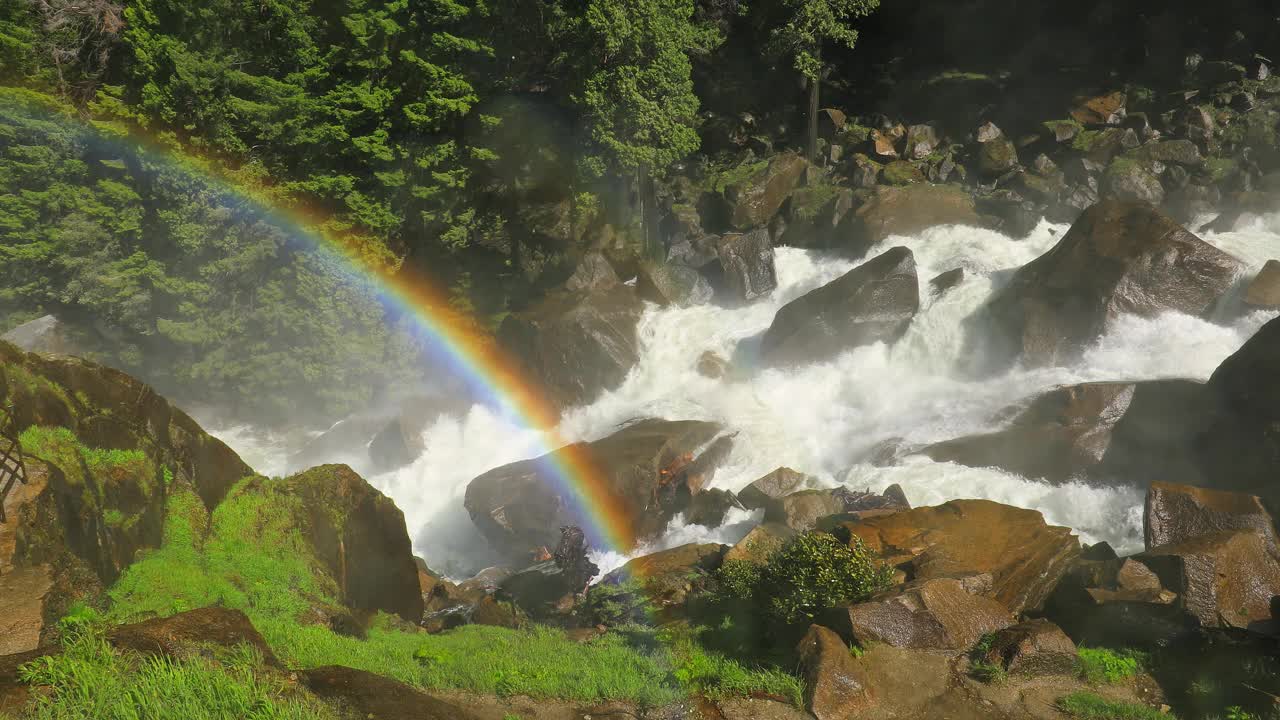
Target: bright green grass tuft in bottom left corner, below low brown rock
x,y
93,680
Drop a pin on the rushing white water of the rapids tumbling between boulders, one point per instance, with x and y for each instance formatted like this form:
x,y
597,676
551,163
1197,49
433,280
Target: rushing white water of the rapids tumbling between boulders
x,y
822,418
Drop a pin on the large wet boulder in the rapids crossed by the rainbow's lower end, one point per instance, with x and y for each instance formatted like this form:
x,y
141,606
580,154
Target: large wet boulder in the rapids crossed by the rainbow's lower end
x,y
641,472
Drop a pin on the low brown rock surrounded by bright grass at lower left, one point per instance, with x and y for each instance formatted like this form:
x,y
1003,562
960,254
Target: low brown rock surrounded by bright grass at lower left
x,y
189,634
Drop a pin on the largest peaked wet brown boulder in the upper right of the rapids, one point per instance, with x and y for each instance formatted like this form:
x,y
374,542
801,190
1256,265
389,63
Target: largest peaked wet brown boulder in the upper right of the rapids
x,y
1119,258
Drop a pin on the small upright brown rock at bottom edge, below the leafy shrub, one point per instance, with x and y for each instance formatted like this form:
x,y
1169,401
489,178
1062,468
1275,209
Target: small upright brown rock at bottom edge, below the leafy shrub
x,y
833,687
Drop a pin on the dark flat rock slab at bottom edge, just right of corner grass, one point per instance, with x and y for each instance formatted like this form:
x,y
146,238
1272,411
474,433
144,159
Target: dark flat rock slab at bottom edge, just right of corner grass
x,y
378,699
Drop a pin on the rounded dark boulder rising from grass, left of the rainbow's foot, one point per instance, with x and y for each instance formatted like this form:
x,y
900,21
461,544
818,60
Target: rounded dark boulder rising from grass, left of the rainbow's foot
x,y
359,536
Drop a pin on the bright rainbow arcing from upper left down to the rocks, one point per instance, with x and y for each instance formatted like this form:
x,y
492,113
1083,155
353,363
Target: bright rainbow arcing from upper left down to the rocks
x,y
492,375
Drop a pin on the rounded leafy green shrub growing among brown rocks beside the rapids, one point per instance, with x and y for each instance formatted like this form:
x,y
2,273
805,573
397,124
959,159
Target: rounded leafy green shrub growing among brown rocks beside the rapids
x,y
816,572
